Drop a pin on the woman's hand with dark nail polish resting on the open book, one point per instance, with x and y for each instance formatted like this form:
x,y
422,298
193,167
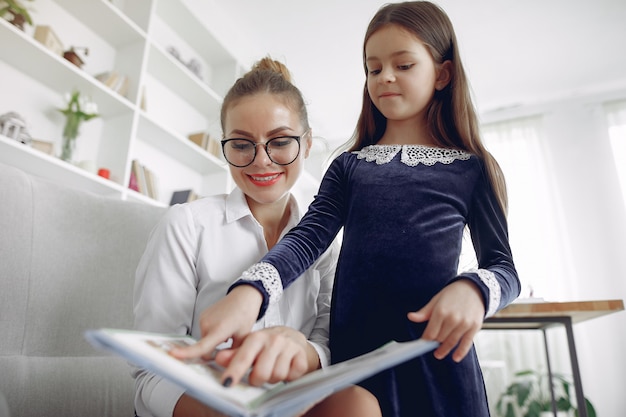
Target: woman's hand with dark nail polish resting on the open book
x,y
275,354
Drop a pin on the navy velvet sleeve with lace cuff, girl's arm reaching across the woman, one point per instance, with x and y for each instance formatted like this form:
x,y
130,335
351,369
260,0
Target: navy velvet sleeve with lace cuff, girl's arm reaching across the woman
x,y
305,243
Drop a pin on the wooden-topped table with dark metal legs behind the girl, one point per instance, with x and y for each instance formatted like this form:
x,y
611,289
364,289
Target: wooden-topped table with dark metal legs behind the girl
x,y
543,315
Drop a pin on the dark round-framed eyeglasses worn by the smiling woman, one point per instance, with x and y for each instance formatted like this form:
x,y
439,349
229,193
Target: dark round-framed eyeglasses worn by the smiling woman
x,y
281,150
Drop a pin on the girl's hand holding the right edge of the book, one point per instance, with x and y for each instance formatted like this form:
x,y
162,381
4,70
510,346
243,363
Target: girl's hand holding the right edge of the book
x,y
454,316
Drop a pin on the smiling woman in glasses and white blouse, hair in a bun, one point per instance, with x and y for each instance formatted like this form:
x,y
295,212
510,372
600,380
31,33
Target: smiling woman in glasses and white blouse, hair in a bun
x,y
199,249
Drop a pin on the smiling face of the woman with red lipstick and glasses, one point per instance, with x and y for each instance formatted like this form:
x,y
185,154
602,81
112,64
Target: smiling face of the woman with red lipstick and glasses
x,y
260,118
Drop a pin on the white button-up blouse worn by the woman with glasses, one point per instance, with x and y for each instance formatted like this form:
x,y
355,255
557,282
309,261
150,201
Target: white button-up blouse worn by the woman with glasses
x,y
192,257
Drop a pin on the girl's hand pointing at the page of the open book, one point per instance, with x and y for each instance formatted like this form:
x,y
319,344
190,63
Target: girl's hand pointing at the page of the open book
x,y
231,317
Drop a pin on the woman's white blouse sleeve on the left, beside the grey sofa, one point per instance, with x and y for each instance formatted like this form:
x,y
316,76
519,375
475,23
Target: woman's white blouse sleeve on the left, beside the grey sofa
x,y
164,298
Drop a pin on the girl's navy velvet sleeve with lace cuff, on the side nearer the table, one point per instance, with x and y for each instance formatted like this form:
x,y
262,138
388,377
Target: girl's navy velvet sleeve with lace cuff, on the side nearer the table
x,y
496,276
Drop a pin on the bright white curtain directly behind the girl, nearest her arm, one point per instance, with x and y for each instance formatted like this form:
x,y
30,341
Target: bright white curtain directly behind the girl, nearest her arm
x,y
539,243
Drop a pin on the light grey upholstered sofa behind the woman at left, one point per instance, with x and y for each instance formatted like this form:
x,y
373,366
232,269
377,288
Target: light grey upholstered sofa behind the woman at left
x,y
67,263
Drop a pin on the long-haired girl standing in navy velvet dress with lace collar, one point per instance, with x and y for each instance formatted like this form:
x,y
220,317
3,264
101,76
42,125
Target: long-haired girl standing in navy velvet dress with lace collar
x,y
415,176
